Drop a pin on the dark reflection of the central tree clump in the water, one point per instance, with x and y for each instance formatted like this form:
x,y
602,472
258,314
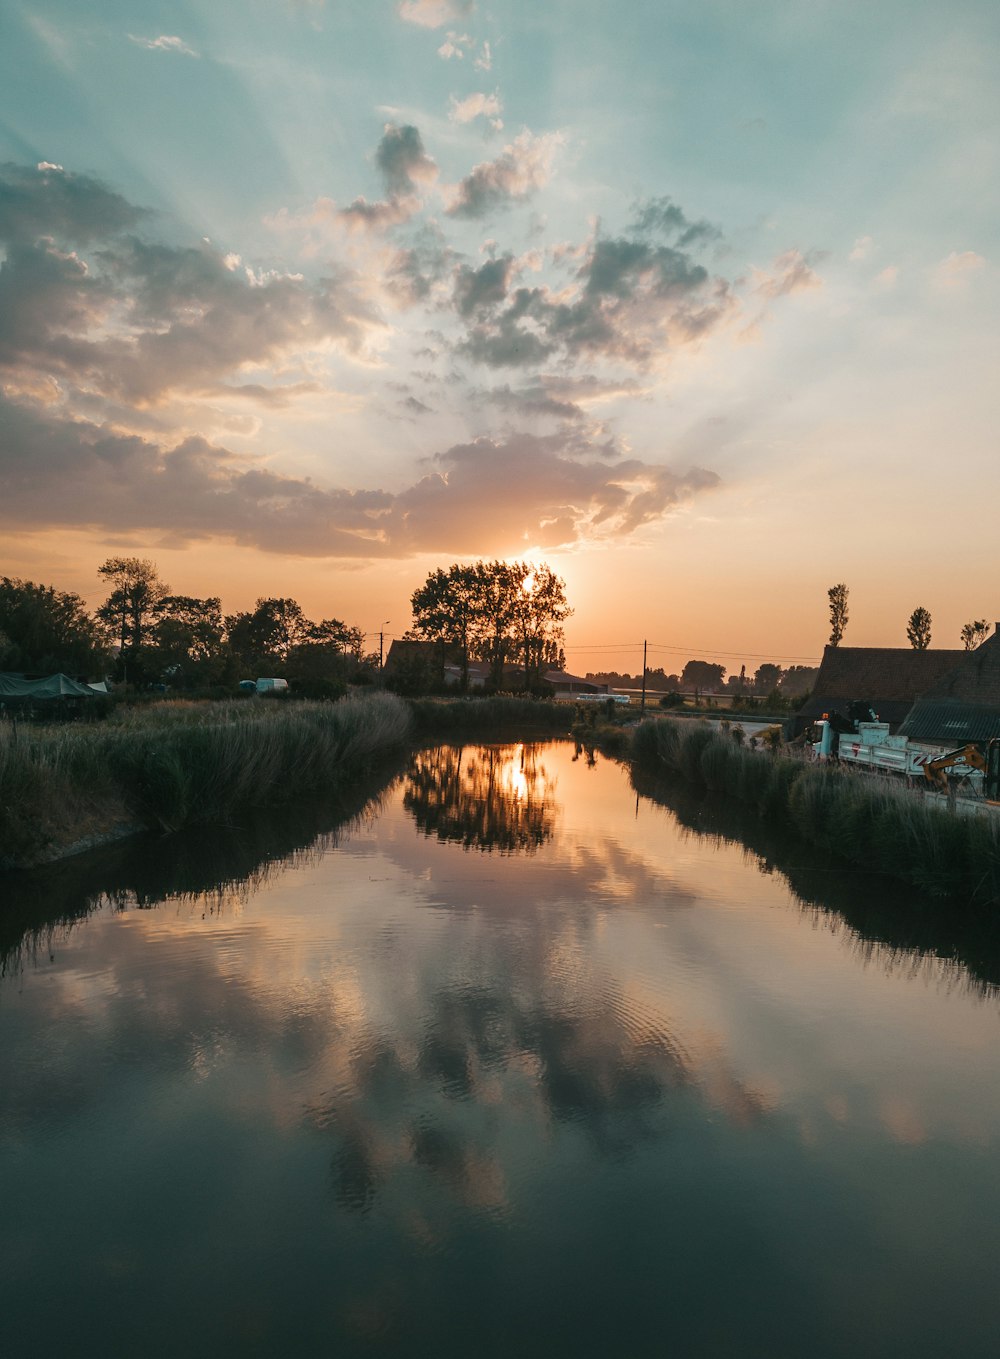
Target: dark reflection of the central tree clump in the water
x,y
483,797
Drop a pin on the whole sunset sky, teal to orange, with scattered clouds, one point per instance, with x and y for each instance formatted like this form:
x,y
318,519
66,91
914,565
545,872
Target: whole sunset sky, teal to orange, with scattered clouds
x,y
695,301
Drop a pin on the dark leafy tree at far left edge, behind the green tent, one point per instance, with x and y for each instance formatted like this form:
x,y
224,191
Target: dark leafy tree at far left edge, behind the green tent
x,y
44,630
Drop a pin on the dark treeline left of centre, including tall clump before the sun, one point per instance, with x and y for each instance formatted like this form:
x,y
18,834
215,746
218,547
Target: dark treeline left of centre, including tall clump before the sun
x,y
499,615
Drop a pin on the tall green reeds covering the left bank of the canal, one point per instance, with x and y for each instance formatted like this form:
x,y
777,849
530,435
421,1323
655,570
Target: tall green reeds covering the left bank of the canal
x,y
179,764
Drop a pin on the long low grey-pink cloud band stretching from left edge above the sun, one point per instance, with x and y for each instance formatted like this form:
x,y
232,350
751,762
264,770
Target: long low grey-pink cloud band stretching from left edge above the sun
x,y
482,497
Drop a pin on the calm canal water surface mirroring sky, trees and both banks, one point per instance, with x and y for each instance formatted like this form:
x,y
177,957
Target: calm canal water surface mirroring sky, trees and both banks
x,y
518,1063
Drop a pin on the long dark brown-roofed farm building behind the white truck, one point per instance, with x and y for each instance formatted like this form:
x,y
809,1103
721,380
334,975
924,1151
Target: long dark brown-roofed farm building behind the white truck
x,y
888,679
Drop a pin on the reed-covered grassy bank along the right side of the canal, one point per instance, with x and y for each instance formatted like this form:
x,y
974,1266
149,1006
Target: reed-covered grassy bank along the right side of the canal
x,y
872,822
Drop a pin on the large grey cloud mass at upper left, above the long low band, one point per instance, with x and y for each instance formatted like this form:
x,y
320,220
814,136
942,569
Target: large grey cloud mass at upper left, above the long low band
x,y
135,320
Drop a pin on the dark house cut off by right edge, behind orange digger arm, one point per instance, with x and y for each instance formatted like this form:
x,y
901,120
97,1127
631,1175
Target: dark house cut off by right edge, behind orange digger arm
x,y
964,705
